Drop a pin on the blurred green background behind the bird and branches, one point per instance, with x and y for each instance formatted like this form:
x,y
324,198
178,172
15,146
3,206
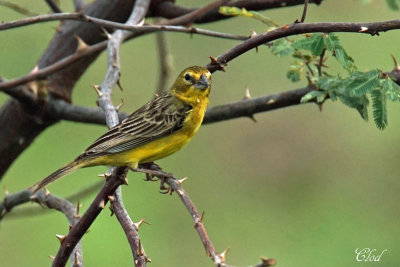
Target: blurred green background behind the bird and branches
x,y
302,186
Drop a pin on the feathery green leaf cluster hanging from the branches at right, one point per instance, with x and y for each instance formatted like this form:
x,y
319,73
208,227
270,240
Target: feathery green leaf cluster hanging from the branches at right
x,y
354,90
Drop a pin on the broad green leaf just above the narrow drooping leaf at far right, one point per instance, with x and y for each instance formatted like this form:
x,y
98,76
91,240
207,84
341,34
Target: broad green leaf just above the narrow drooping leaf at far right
x,y
363,83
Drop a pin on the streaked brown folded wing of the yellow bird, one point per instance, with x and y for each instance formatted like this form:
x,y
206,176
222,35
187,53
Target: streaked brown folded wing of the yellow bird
x,y
158,118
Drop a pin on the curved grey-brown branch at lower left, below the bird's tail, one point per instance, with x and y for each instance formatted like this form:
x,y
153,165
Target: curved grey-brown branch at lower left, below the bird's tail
x,y
51,201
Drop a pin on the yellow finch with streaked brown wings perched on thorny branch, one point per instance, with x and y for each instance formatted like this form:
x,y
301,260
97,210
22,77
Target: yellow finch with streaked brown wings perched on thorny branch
x,y
154,131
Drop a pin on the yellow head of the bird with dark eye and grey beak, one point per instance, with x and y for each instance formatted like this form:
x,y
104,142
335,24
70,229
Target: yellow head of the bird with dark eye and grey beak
x,y
192,85
